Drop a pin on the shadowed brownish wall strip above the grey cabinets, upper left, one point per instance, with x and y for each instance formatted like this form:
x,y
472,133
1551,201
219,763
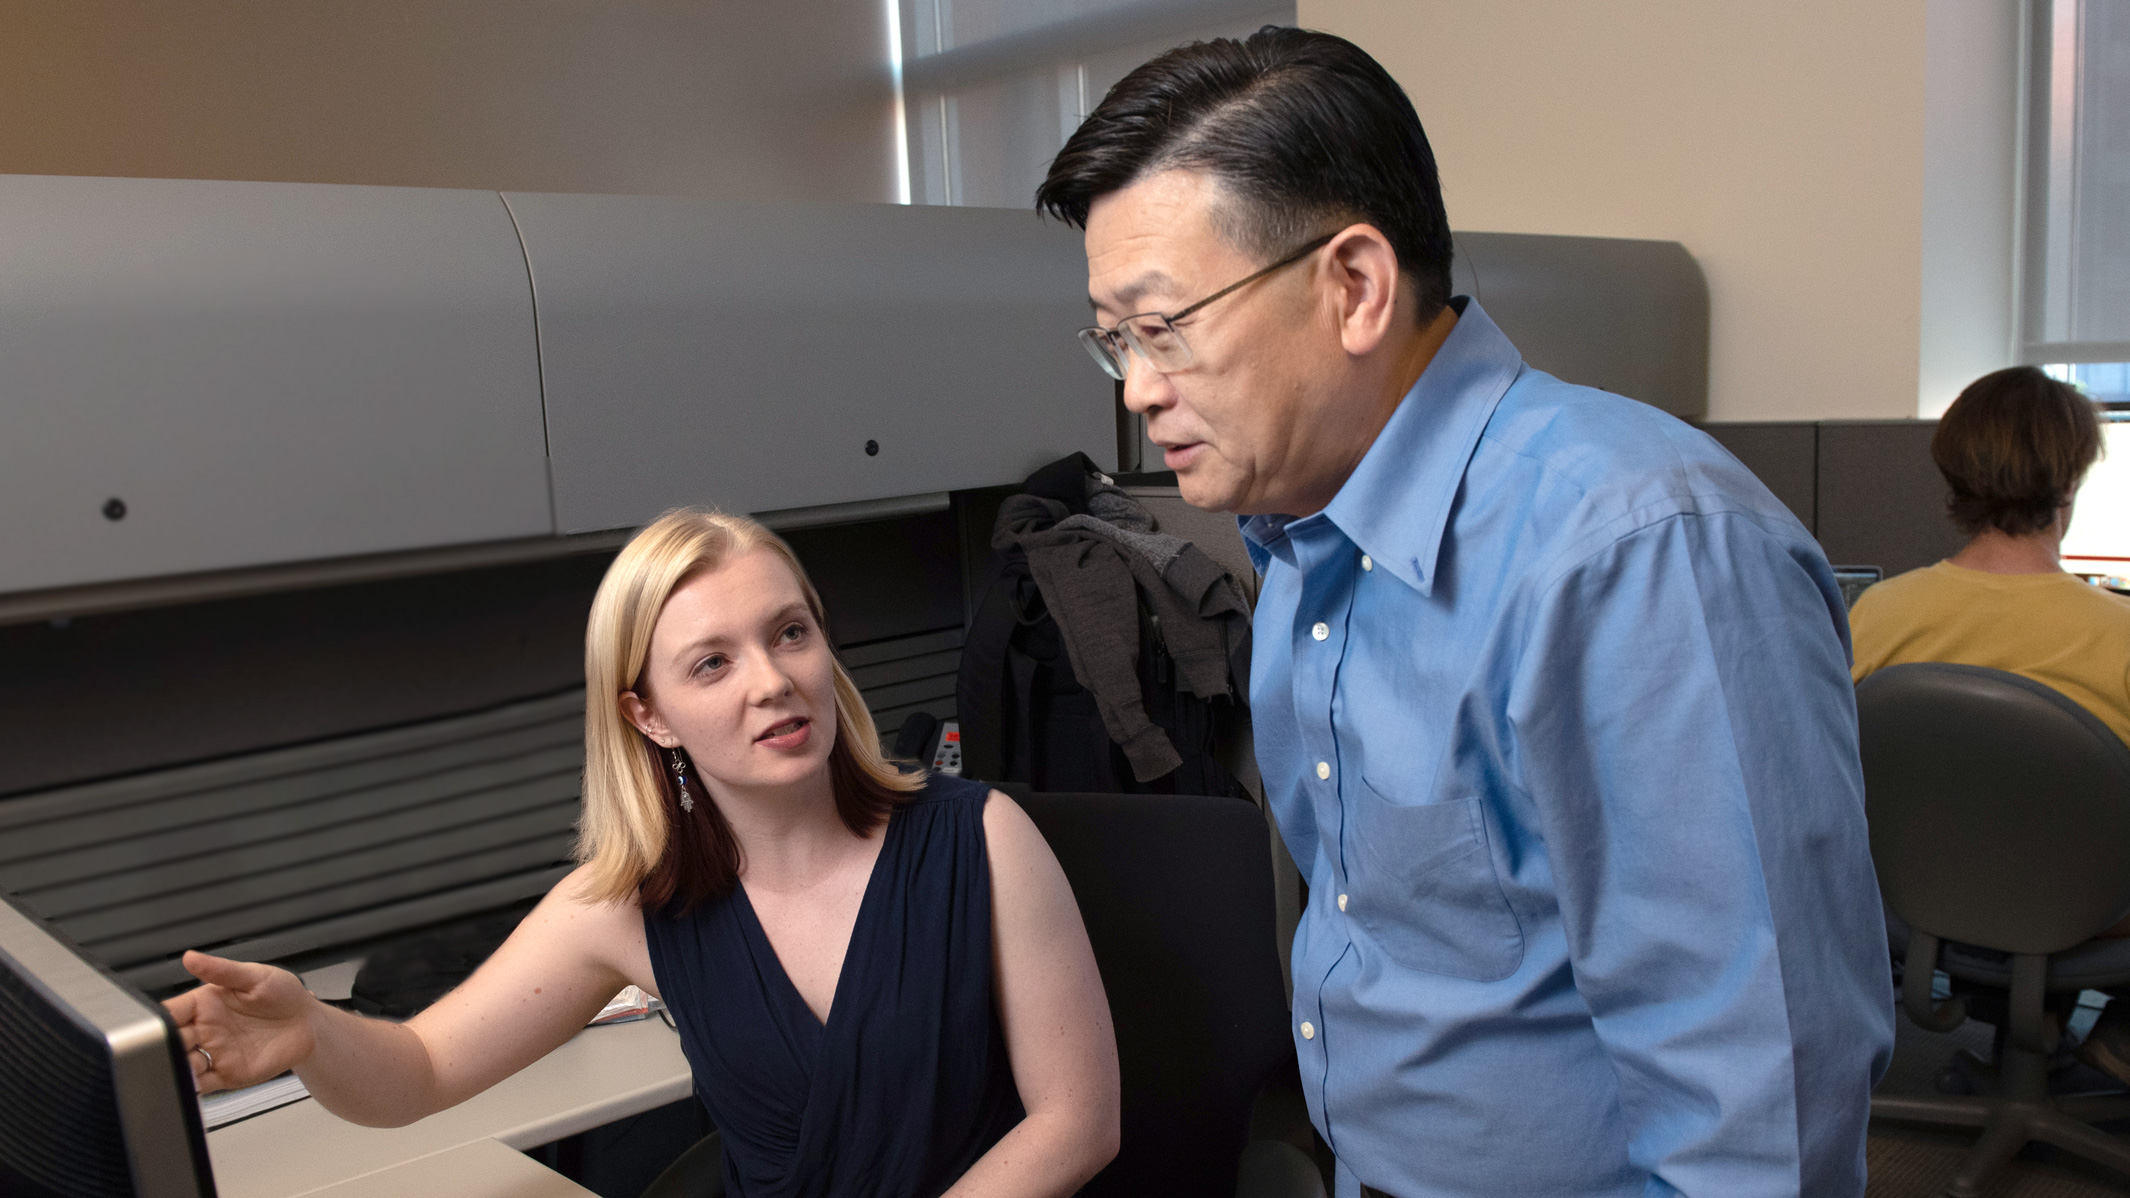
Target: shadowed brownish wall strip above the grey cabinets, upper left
x,y
676,97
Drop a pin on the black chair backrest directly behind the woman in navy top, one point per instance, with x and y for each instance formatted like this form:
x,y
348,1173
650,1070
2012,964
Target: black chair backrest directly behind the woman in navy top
x,y
1177,896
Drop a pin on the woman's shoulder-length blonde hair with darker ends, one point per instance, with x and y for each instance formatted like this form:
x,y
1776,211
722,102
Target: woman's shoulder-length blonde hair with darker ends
x,y
636,837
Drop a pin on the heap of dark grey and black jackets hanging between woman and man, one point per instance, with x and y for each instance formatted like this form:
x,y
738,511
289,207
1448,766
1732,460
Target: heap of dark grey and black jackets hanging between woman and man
x,y
1170,636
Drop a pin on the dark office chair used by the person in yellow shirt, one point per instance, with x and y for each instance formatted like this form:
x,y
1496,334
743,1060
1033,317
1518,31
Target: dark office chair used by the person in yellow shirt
x,y
2001,830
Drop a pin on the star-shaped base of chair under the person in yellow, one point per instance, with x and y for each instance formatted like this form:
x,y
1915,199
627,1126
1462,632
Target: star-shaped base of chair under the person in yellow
x,y
2012,1124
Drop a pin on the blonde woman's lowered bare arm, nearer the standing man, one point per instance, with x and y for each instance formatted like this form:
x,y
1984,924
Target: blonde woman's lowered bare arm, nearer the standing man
x,y
1058,1022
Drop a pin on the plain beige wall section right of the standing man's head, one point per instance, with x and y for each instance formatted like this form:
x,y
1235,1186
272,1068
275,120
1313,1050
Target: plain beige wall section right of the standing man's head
x,y
1782,144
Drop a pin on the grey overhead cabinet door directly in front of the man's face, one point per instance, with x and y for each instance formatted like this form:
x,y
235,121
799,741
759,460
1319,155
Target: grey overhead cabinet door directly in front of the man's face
x,y
764,357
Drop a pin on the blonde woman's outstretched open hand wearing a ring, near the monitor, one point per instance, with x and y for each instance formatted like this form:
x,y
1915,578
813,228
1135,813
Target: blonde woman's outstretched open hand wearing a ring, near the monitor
x,y
252,1020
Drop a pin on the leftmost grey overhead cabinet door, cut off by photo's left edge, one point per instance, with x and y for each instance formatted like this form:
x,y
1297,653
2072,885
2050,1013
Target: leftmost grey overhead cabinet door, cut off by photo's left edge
x,y
261,372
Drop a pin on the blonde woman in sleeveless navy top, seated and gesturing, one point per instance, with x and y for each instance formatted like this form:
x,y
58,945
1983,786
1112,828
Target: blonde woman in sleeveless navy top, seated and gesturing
x,y
881,980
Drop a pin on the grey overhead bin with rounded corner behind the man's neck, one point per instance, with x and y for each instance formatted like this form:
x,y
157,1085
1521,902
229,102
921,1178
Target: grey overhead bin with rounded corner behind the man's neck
x,y
1609,312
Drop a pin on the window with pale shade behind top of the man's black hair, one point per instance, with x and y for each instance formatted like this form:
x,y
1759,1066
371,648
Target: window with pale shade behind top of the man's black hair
x,y
994,88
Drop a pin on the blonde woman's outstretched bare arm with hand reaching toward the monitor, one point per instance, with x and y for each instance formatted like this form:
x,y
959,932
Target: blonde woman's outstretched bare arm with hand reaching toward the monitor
x,y
540,988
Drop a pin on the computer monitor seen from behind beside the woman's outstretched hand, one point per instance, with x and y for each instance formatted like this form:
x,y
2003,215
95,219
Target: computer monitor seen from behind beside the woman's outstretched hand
x,y
95,1090
